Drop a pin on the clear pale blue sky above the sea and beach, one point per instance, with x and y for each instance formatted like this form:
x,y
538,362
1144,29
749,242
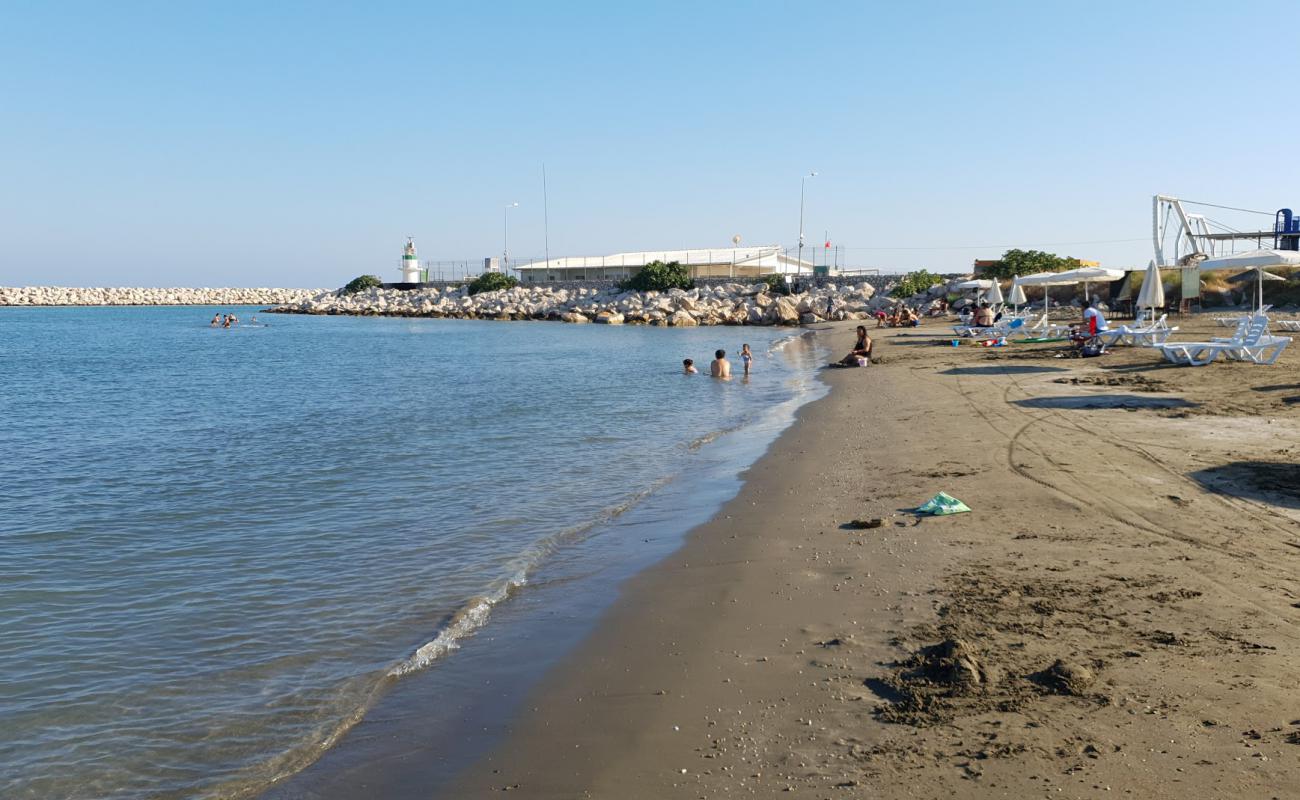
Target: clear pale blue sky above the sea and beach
x,y
276,144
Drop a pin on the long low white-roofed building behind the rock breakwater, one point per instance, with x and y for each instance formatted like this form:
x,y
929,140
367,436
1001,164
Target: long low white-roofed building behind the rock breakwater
x,y
729,262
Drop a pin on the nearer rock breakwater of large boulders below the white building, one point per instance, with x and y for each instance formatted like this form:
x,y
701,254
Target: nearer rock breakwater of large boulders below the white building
x,y
718,305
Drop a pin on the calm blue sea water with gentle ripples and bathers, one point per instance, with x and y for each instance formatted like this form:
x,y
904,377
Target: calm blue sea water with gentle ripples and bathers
x,y
219,547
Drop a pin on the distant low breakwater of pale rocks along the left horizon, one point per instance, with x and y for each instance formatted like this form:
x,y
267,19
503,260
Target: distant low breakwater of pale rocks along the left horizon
x,y
125,296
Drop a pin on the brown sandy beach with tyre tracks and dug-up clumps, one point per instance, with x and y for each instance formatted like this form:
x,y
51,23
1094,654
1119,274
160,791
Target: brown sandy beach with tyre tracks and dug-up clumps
x,y
1117,616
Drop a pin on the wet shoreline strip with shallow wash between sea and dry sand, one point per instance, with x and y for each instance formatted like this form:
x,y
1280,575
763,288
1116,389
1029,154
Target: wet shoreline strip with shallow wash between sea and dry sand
x,y
417,728
